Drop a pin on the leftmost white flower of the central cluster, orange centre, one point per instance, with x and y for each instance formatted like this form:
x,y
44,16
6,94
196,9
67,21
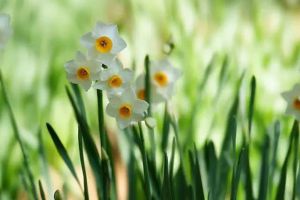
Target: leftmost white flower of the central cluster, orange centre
x,y
83,70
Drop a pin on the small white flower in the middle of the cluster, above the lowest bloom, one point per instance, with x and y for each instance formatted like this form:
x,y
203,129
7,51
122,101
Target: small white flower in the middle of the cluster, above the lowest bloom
x,y
114,79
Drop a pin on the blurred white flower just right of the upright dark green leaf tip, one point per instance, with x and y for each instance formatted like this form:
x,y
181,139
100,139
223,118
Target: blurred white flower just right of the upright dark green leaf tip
x,y
163,76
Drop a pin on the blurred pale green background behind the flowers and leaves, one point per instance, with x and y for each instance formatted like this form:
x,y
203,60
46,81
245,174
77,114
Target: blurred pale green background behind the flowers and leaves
x,y
260,38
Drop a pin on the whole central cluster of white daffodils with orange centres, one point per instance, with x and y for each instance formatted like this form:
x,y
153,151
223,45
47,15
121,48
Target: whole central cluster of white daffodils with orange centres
x,y
102,70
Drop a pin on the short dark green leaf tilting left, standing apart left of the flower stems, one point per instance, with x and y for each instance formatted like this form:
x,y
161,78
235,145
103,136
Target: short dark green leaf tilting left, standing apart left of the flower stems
x,y
62,152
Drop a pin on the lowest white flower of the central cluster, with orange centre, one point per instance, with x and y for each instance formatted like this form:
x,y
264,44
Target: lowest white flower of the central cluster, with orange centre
x,y
126,108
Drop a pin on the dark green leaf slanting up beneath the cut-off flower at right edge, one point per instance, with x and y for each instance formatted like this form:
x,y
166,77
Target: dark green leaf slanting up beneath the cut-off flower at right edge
x,y
282,182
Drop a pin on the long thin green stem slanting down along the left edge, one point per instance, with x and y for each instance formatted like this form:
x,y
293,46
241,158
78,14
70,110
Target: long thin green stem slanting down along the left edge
x,y
18,137
